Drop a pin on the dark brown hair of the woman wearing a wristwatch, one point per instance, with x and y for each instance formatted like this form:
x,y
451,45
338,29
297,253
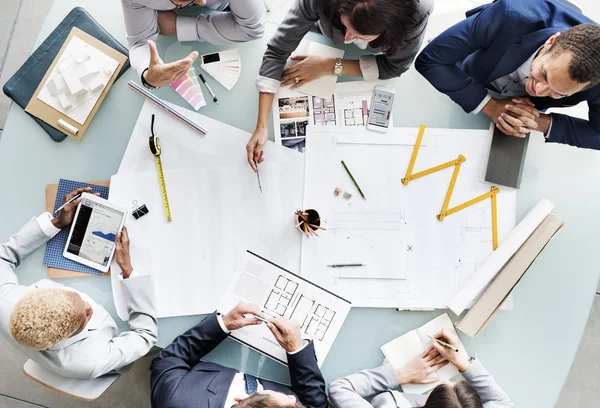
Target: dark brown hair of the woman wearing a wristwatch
x,y
390,19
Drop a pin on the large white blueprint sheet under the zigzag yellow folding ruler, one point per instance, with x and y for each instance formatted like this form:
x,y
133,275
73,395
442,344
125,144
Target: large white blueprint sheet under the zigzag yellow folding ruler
x,y
412,259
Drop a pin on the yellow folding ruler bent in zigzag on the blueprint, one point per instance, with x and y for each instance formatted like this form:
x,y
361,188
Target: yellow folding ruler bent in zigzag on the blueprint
x,y
456,163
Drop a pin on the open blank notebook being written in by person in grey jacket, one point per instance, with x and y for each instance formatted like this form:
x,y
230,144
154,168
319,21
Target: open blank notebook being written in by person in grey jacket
x,y
403,349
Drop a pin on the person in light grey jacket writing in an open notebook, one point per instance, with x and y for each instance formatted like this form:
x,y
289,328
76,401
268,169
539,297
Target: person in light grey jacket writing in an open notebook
x,y
374,388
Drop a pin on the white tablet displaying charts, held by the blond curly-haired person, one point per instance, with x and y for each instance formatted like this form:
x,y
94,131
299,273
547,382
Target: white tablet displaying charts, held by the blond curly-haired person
x,y
94,231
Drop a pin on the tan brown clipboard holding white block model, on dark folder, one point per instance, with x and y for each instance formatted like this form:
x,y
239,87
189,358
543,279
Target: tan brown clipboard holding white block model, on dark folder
x,y
50,115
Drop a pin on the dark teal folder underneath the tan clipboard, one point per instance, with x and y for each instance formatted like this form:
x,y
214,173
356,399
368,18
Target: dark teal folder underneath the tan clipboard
x,y
23,84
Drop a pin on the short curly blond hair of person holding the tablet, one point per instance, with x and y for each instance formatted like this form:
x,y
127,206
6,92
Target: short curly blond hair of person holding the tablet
x,y
44,317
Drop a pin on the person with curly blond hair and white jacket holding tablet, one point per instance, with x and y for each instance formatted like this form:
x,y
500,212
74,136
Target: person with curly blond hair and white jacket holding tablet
x,y
65,330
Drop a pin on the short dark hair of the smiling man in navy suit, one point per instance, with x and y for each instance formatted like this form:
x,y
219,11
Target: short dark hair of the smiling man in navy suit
x,y
584,42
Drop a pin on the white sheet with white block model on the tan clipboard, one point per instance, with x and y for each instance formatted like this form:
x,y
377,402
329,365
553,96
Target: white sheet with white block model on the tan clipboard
x,y
80,106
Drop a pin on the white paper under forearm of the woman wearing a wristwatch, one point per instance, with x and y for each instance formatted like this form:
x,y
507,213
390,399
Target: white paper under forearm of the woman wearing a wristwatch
x,y
322,87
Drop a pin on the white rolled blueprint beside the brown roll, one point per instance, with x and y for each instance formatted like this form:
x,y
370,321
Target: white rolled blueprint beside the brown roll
x,y
496,261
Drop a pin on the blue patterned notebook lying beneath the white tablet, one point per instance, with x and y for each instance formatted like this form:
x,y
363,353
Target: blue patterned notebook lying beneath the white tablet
x,y
53,257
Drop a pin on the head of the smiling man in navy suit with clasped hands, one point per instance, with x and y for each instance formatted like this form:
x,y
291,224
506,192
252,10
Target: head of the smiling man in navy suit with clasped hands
x,y
568,63
